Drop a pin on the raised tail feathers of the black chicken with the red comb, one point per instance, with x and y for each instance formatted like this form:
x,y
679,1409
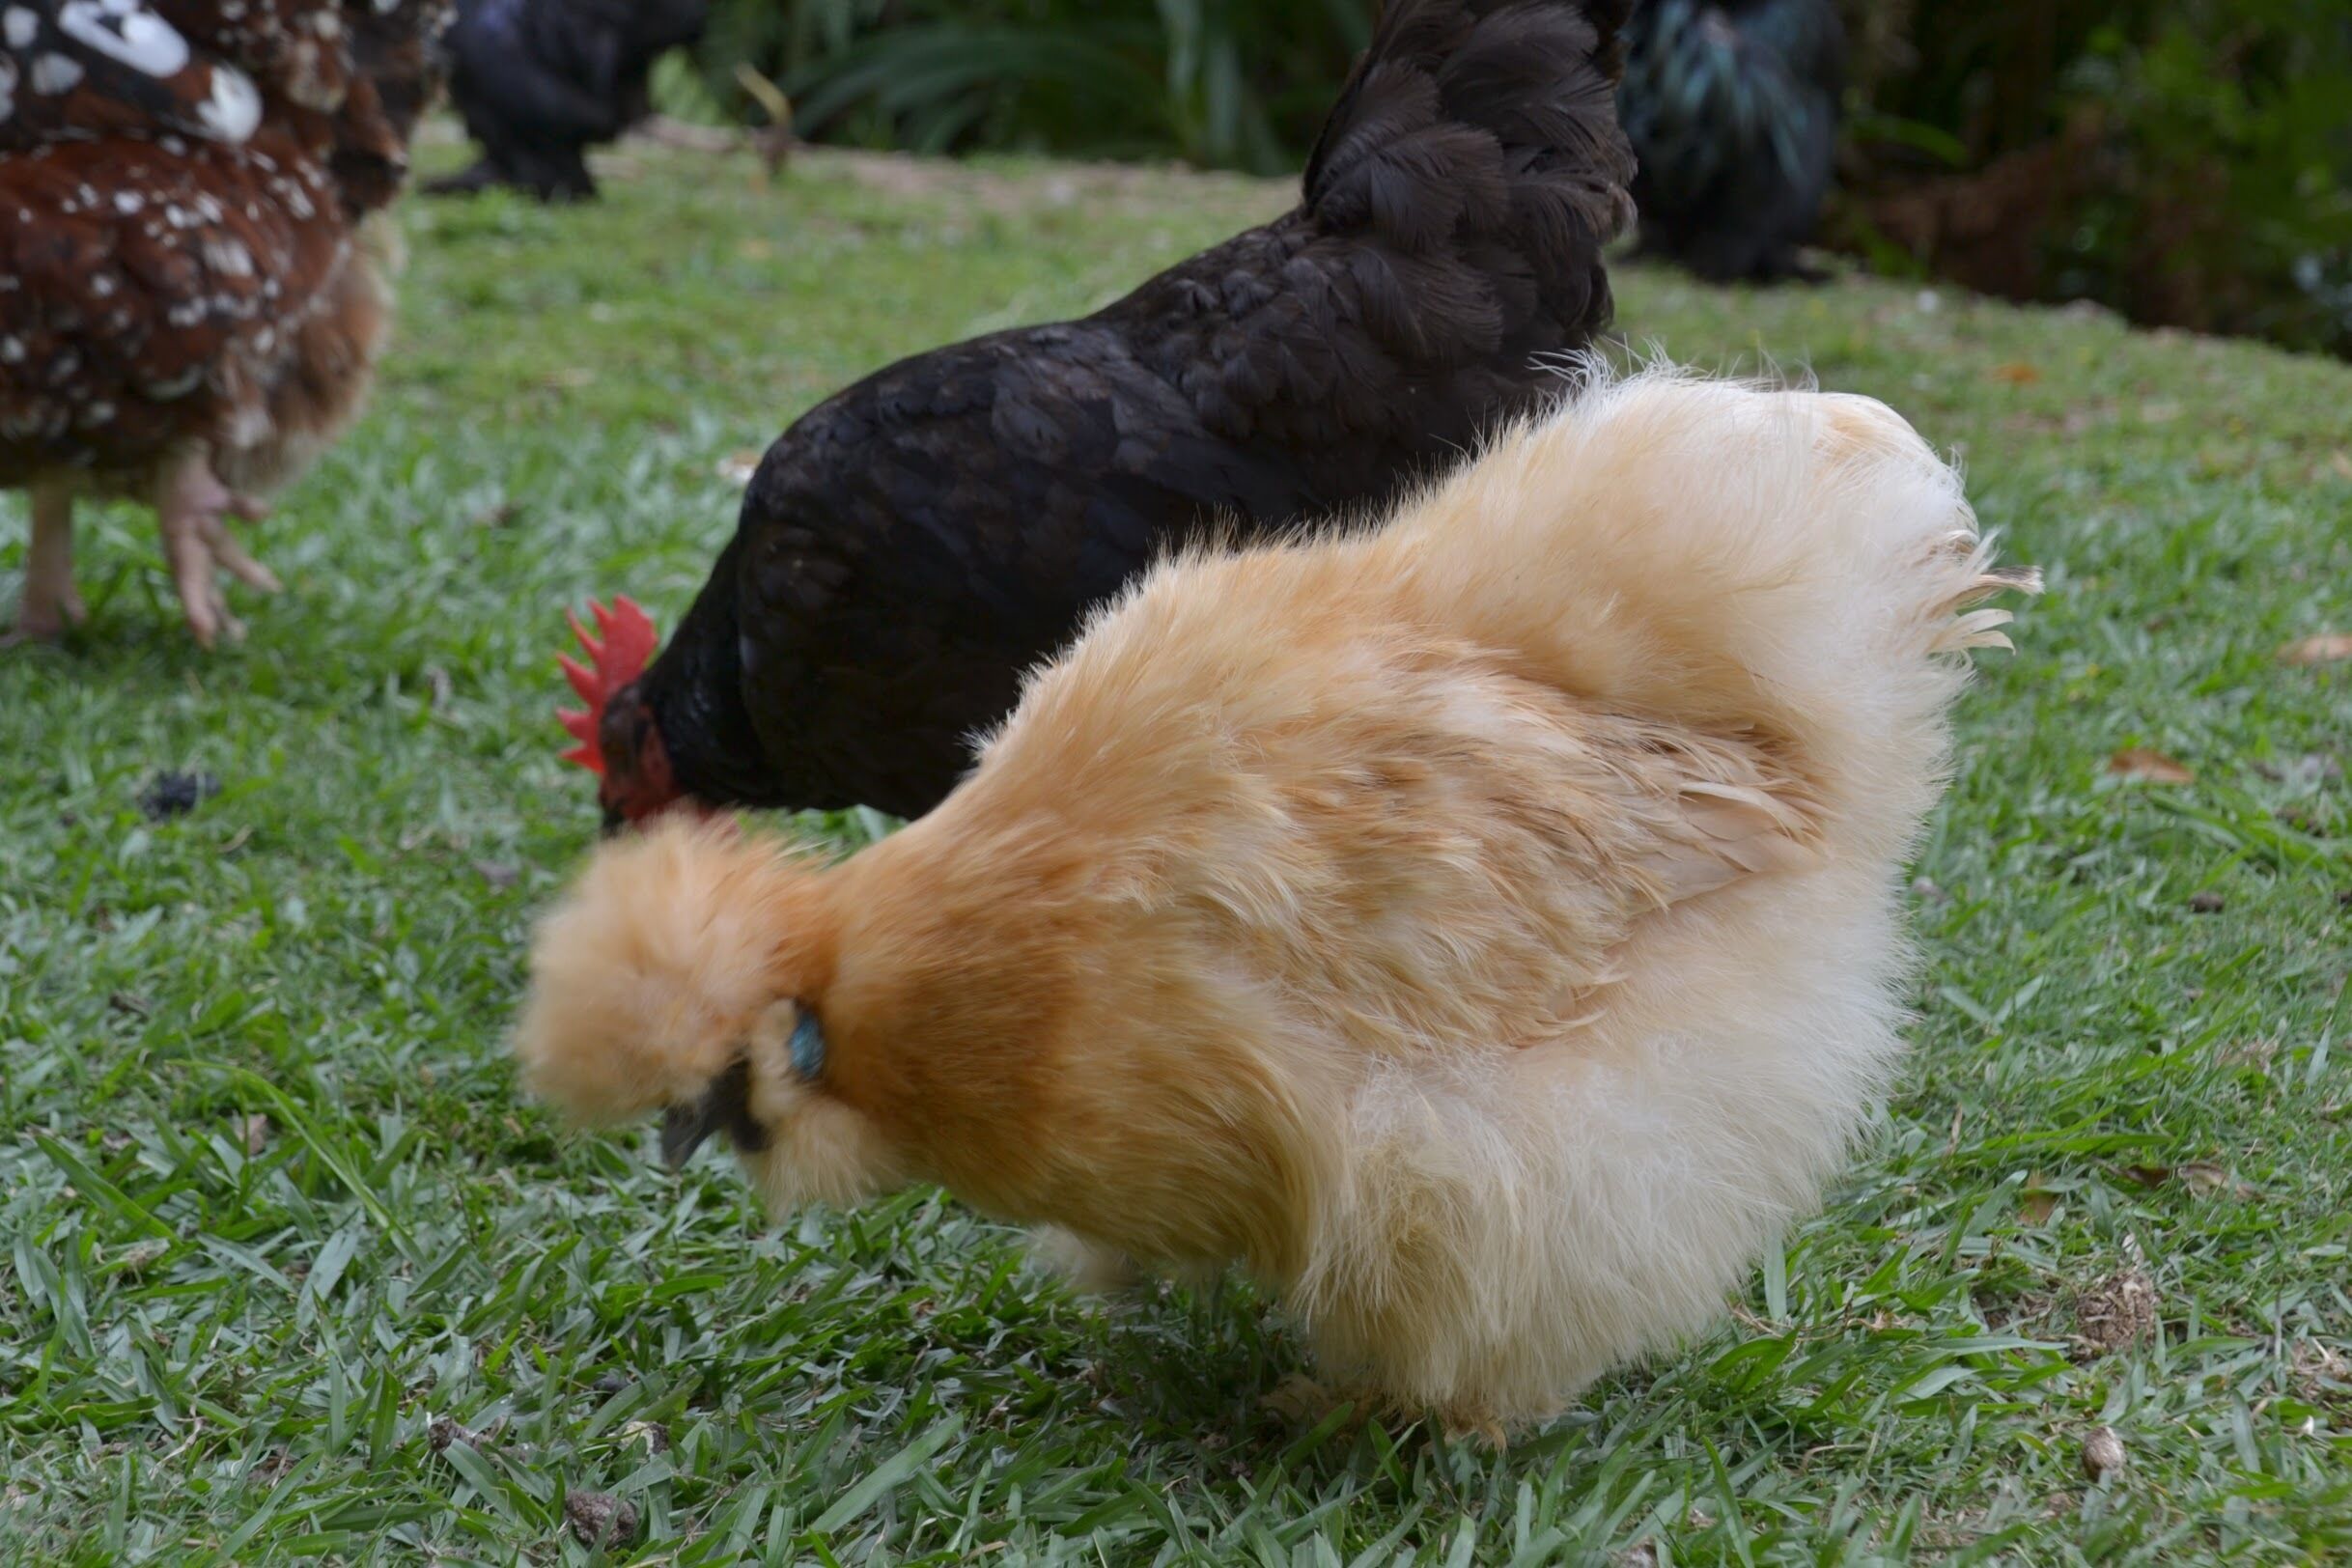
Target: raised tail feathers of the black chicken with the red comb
x,y
1476,170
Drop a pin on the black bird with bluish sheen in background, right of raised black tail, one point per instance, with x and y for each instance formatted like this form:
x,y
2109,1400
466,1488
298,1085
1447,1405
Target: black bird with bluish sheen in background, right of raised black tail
x,y
1732,114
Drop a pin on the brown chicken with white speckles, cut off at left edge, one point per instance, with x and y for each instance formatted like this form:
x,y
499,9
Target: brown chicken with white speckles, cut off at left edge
x,y
192,293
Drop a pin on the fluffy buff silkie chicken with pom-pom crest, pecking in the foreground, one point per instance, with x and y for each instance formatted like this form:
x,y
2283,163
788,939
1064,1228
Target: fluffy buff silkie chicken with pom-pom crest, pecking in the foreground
x,y
1483,930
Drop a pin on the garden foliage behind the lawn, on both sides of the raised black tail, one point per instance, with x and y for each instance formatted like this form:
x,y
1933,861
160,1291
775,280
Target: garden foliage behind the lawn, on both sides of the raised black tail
x,y
2181,161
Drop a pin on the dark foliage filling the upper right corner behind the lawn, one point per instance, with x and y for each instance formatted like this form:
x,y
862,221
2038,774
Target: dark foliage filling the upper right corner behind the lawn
x,y
2184,161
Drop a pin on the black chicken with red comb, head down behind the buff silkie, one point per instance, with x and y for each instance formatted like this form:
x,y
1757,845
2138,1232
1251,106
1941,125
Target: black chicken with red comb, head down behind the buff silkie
x,y
921,540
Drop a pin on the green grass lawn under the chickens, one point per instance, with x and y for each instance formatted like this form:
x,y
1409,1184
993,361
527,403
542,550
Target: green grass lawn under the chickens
x,y
293,1271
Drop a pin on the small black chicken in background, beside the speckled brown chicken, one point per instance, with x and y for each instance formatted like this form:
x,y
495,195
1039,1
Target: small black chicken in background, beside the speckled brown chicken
x,y
542,81
